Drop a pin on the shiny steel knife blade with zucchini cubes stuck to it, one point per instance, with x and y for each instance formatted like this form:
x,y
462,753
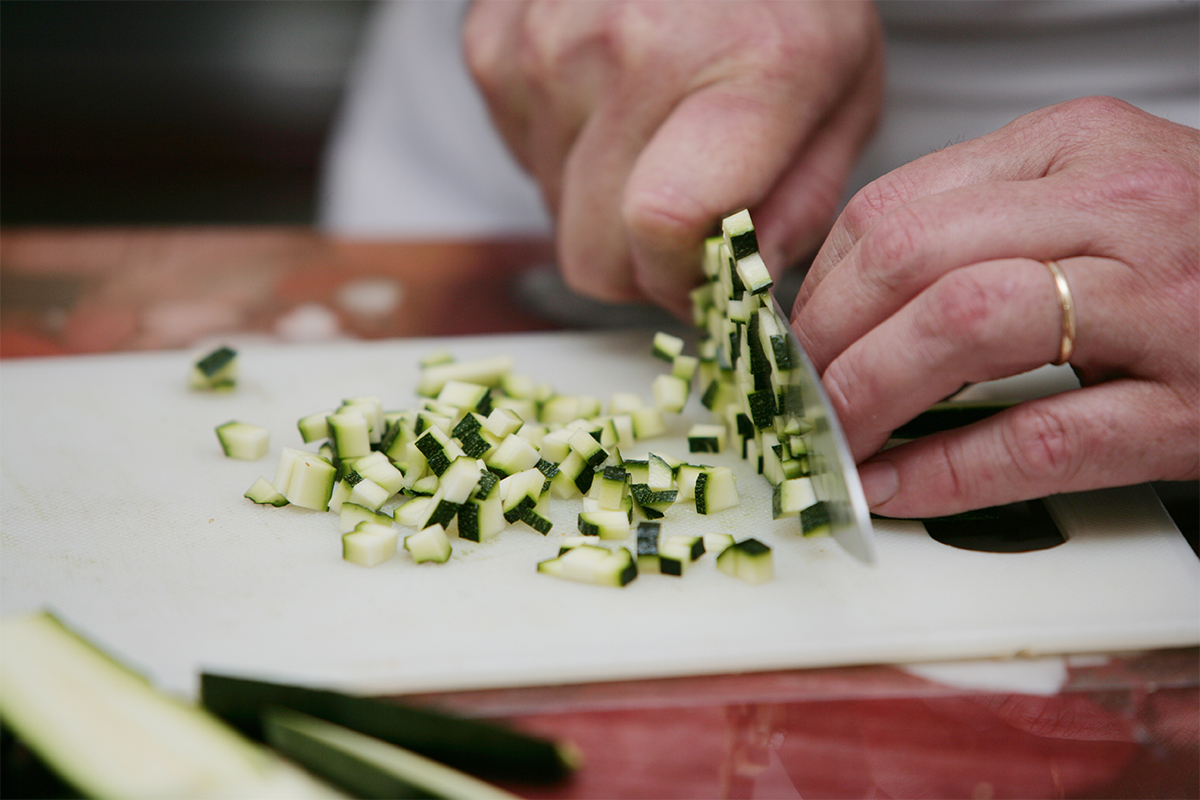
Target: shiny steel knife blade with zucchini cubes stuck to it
x,y
743,291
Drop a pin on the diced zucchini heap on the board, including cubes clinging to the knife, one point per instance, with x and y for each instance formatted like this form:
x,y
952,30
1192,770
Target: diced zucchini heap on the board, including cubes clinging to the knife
x,y
488,449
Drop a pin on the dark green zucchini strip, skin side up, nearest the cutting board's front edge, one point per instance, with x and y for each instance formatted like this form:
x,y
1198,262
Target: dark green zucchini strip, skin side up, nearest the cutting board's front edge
x,y
477,748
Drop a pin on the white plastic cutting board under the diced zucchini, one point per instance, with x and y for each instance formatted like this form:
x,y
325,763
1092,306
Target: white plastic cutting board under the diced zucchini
x,y
121,513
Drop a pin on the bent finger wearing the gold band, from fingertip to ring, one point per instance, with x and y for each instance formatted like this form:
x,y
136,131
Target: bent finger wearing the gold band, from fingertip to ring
x,y
975,324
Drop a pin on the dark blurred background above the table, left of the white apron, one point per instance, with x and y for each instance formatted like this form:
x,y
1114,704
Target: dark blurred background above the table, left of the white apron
x,y
148,112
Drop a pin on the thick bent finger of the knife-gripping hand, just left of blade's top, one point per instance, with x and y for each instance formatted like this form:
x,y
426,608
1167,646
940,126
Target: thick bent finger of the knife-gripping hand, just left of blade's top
x,y
722,149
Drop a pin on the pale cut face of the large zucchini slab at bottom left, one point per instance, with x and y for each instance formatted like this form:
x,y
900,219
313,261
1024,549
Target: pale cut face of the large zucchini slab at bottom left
x,y
110,733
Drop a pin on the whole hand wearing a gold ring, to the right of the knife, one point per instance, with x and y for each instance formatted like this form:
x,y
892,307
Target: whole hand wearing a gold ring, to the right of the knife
x,y
933,278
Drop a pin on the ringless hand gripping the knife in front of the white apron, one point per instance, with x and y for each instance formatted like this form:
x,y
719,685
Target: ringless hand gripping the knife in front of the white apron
x,y
645,123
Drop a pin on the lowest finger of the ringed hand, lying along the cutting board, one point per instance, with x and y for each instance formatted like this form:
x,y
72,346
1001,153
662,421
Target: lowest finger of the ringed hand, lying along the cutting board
x,y
1112,435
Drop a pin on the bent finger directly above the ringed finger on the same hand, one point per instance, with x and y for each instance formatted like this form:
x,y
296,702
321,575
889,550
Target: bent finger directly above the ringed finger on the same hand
x,y
917,244
